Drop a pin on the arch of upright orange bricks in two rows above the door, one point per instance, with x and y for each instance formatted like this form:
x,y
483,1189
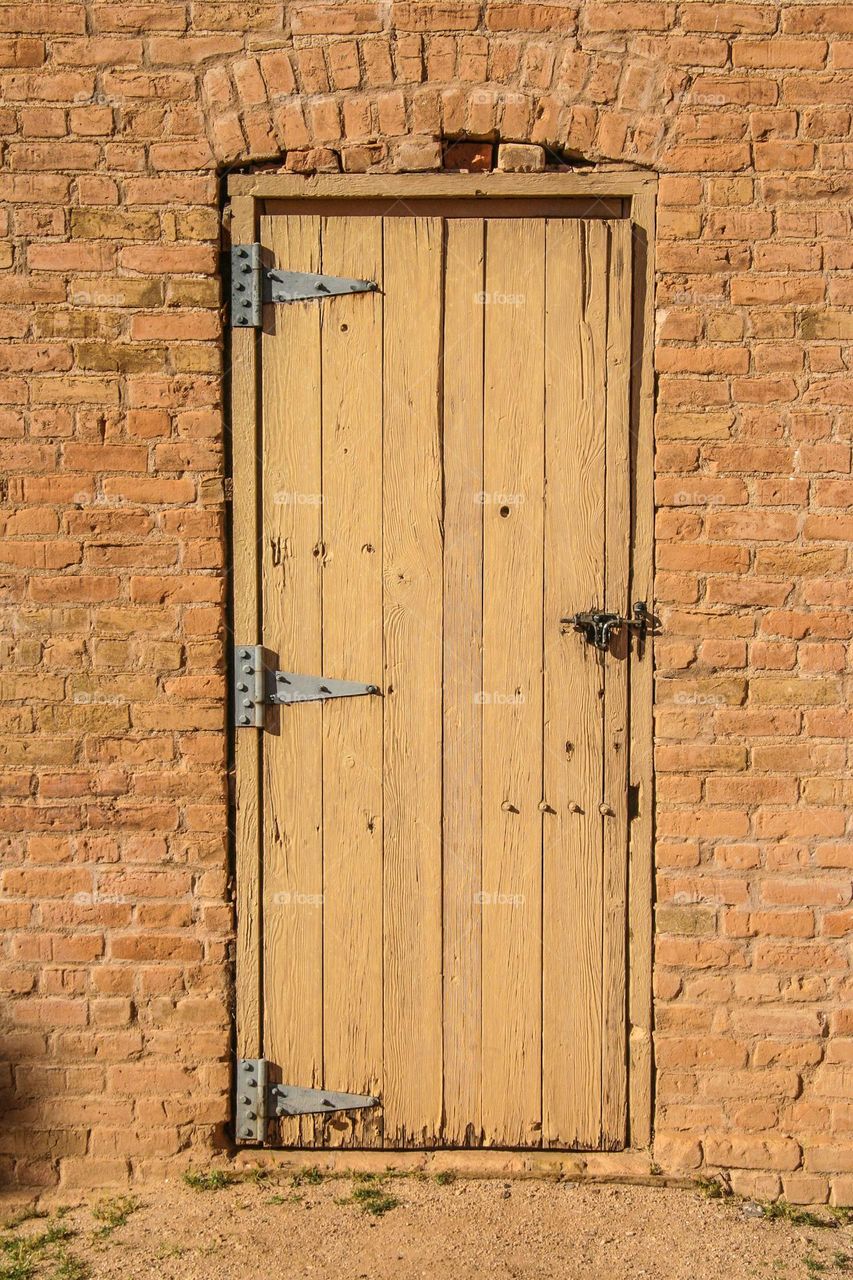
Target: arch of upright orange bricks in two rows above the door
x,y
276,106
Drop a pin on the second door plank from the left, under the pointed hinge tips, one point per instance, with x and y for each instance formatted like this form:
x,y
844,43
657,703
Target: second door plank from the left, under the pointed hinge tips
x,y
353,830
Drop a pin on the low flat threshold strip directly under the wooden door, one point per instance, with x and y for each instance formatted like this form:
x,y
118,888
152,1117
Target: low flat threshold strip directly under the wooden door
x,y
606,1167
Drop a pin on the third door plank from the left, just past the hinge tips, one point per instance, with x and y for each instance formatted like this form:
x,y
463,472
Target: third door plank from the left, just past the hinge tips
x,y
413,685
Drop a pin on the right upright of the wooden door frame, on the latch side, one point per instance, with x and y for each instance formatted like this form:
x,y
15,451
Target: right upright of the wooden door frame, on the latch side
x,y
641,829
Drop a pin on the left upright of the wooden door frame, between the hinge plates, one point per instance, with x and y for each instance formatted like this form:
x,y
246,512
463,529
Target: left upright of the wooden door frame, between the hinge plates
x,y
245,582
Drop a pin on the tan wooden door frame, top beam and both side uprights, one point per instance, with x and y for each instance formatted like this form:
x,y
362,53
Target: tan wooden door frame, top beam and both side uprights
x,y
637,190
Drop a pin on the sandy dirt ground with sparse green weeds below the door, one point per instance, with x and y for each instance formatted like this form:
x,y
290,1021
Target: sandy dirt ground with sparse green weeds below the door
x,y
408,1227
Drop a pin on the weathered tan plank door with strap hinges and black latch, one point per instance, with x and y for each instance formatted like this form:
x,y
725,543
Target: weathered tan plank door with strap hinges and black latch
x,y
444,479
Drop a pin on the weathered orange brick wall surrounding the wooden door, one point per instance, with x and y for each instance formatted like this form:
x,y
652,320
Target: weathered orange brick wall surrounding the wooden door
x,y
118,121
